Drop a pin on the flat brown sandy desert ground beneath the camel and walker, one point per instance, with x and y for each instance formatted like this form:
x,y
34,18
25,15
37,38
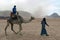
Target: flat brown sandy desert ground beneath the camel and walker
x,y
32,30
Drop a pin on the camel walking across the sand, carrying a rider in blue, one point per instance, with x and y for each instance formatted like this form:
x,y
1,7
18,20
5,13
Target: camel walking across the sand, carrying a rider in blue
x,y
18,21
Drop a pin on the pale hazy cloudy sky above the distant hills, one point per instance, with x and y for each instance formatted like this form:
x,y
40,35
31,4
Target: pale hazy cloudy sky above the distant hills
x,y
36,7
